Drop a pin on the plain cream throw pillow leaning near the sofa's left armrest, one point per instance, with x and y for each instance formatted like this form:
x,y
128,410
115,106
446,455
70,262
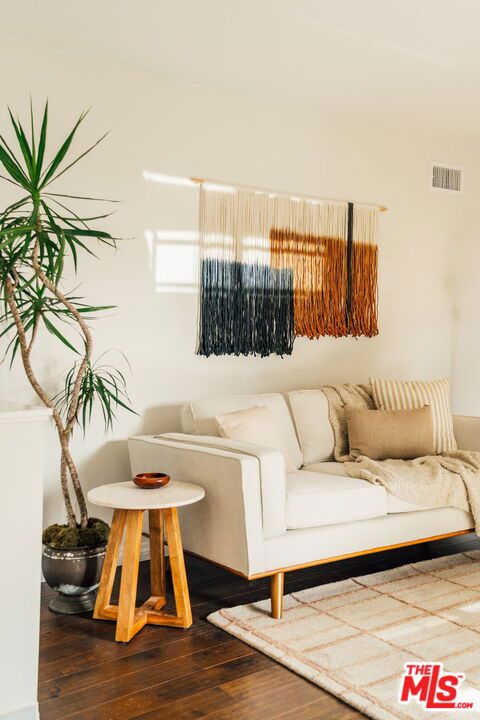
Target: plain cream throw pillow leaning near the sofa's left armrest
x,y
255,425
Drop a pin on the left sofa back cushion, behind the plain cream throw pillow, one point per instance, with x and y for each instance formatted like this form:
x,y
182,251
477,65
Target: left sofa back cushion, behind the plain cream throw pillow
x,y
198,417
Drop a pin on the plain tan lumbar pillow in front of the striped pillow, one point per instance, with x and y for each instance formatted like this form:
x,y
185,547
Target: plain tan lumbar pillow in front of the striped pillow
x,y
390,434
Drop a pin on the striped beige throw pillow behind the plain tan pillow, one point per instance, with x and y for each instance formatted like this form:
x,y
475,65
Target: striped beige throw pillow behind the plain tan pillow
x,y
409,394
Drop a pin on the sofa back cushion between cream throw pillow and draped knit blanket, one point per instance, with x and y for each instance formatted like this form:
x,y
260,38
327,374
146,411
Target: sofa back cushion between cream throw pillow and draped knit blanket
x,y
310,413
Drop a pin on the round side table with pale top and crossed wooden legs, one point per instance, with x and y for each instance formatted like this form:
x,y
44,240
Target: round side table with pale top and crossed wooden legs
x,y
129,503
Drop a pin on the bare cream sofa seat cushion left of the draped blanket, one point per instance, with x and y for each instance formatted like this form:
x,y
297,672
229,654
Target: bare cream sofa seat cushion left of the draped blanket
x,y
315,499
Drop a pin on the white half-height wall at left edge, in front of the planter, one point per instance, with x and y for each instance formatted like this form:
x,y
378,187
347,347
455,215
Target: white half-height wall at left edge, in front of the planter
x,y
20,529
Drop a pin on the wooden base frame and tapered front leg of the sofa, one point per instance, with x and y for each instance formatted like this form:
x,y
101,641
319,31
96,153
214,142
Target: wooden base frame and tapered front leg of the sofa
x,y
277,581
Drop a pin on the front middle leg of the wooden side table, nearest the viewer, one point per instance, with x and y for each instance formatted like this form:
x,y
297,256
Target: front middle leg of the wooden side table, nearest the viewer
x,y
128,624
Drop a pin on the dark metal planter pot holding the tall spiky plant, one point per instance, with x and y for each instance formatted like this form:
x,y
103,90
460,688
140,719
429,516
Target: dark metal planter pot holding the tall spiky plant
x,y
75,574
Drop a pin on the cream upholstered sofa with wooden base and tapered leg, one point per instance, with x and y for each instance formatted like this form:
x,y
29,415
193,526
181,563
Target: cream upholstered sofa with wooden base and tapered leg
x,y
258,521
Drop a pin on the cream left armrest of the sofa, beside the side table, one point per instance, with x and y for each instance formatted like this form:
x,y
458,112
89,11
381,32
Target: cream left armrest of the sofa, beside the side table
x,y
226,526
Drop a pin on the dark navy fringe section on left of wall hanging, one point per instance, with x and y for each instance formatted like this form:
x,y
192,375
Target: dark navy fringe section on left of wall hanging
x,y
245,310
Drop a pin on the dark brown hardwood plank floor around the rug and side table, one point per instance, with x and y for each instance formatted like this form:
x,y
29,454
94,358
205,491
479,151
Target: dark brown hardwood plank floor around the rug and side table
x,y
169,673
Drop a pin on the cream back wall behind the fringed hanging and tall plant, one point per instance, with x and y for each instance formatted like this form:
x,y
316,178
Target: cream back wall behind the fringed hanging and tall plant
x,y
166,126
